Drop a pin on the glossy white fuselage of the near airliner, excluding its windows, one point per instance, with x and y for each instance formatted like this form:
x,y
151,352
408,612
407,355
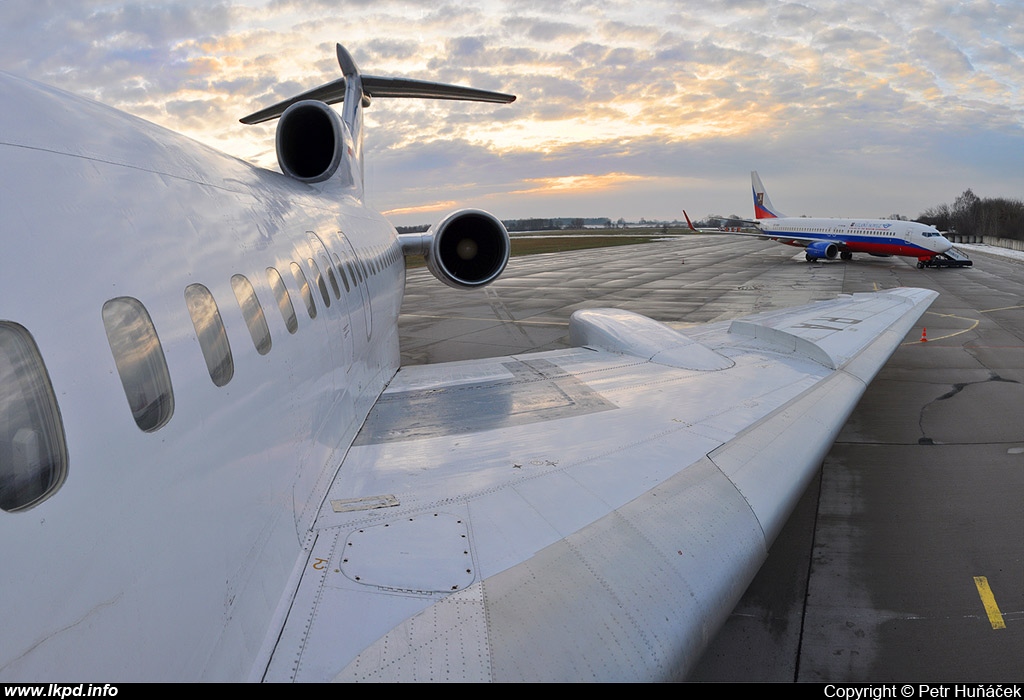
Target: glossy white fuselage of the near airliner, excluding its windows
x,y
115,207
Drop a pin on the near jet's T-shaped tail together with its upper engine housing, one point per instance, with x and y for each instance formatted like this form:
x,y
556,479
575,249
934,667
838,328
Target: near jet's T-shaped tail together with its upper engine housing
x,y
315,145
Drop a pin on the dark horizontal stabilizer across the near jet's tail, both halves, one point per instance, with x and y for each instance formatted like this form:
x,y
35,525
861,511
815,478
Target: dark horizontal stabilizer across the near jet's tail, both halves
x,y
374,86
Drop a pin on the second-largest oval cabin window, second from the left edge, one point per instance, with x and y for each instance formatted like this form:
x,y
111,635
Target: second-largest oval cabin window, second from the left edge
x,y
141,363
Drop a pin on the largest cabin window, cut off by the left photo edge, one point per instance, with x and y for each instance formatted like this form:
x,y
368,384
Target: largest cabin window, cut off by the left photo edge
x,y
33,455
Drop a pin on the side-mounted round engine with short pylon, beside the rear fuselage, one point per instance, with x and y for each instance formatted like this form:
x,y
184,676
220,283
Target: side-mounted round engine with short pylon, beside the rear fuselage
x,y
467,249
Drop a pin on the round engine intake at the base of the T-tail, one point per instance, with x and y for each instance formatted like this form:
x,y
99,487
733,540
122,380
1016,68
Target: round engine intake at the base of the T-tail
x,y
311,142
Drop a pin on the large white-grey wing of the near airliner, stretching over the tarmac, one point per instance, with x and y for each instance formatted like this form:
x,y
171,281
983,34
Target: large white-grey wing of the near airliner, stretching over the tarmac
x,y
589,514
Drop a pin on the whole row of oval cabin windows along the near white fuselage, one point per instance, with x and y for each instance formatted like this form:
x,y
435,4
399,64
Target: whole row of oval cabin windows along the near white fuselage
x,y
33,454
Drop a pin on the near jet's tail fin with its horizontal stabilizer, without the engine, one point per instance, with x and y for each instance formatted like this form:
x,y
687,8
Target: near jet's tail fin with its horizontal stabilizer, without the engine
x,y
356,91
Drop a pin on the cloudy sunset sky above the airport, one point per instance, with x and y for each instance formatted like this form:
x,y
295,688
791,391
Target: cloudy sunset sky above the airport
x,y
625,109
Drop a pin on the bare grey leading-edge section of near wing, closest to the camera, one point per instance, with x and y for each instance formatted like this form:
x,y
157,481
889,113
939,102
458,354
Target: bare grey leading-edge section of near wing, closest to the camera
x,y
629,628
